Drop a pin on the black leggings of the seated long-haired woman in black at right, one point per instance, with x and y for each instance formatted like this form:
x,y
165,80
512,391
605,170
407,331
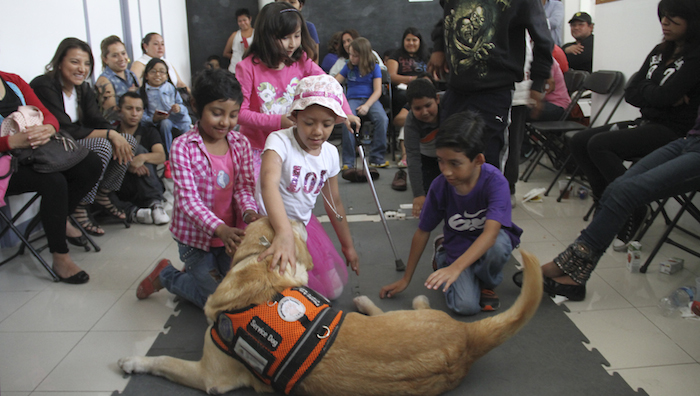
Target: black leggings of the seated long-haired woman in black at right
x,y
601,152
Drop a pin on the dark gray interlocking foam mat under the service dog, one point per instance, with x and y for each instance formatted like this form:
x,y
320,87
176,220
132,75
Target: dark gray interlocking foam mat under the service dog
x,y
547,357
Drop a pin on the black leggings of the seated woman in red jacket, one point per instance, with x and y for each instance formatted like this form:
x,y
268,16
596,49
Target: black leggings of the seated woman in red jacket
x,y
60,194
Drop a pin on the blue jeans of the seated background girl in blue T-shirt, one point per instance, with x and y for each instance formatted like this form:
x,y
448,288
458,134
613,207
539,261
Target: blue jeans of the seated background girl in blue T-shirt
x,y
380,122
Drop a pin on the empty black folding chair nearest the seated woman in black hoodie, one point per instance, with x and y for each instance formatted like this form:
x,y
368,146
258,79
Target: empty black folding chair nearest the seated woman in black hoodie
x,y
603,82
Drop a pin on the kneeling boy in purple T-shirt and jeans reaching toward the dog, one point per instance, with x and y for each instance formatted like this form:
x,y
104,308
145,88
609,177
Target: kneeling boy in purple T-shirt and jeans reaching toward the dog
x,y
473,199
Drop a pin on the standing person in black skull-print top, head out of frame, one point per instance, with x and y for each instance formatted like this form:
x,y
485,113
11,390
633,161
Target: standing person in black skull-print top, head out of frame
x,y
482,45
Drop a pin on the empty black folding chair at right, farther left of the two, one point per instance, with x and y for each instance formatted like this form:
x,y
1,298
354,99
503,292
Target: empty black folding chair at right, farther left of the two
x,y
543,145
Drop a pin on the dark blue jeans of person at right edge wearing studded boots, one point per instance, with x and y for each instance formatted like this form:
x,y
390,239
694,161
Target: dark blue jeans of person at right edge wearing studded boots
x,y
667,171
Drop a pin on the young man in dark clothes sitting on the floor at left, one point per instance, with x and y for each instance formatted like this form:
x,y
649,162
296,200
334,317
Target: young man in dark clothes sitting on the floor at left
x,y
141,189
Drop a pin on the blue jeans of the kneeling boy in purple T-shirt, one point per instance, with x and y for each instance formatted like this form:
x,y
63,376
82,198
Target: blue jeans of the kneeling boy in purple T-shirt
x,y
462,296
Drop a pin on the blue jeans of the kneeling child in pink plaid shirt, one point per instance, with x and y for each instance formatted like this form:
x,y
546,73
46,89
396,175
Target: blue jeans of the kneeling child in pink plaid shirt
x,y
203,273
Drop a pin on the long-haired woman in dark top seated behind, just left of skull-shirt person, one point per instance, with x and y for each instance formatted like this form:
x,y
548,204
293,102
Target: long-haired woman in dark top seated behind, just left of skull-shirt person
x,y
404,65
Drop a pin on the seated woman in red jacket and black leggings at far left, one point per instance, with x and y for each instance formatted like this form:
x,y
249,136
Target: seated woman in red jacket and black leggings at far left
x,y
60,191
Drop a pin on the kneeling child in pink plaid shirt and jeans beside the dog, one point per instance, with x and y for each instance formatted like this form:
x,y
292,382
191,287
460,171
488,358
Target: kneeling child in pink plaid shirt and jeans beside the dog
x,y
212,169
